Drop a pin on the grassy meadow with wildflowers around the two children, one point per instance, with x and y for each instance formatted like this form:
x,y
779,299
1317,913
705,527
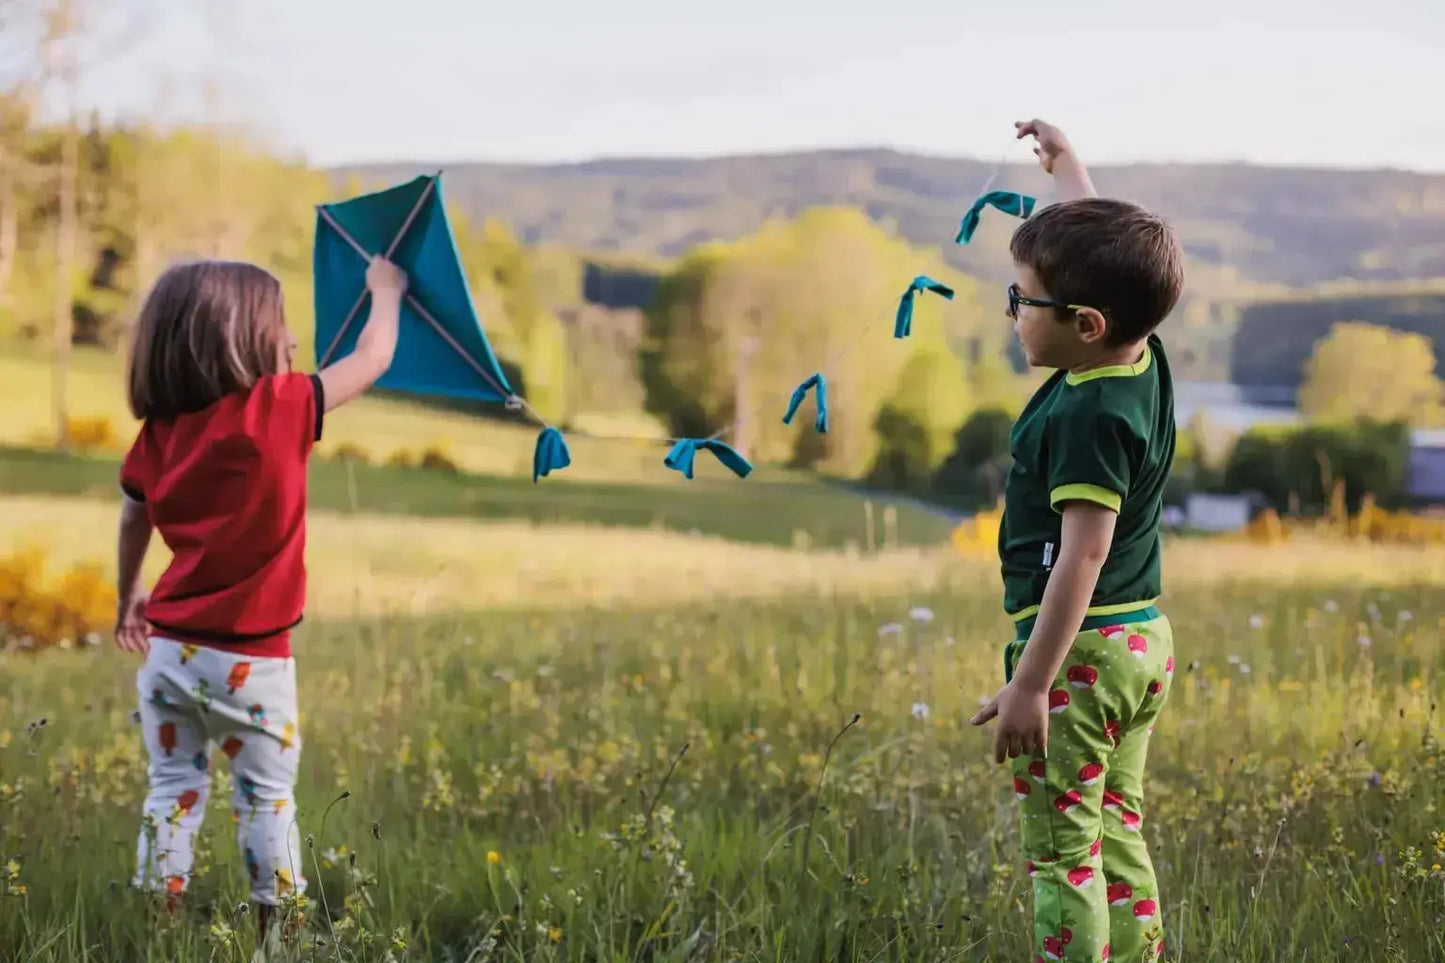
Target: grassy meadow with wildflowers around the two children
x,y
602,721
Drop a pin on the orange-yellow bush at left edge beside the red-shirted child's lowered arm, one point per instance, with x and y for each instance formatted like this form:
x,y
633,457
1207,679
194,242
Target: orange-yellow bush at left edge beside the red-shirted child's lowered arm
x,y
37,614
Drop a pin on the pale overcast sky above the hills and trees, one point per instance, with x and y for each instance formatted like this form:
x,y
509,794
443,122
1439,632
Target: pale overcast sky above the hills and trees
x,y
1277,82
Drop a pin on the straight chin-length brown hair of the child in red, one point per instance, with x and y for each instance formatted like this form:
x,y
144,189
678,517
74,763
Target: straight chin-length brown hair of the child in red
x,y
207,329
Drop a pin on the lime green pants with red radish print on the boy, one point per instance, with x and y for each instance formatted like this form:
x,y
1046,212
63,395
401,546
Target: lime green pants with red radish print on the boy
x,y
1083,809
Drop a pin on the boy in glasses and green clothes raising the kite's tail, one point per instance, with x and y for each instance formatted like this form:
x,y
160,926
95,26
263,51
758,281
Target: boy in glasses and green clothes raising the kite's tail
x,y
1080,552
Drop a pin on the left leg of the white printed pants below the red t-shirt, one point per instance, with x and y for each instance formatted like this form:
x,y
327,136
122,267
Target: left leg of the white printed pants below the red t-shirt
x,y
177,742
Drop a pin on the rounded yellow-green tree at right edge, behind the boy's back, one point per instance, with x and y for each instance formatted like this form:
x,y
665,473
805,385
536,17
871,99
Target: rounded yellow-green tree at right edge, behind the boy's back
x,y
1372,372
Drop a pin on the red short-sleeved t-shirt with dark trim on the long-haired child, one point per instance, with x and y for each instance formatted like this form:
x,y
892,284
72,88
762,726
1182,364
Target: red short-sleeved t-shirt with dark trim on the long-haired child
x,y
226,488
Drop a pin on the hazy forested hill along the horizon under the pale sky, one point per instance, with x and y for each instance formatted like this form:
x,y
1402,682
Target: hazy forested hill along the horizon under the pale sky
x,y
1249,231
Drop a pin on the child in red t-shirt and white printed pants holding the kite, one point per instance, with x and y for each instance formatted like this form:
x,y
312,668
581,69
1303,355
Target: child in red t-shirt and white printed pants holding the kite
x,y
220,469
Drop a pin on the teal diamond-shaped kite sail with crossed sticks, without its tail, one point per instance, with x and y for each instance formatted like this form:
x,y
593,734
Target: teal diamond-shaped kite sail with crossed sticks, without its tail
x,y
408,225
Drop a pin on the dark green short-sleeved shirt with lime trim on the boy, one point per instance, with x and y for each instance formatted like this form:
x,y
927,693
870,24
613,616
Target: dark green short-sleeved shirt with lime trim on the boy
x,y
1105,436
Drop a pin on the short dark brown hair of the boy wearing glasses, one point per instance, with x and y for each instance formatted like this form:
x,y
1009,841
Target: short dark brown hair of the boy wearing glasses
x,y
1109,255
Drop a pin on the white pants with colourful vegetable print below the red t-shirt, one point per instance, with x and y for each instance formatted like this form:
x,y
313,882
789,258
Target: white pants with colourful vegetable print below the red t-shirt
x,y
194,699
